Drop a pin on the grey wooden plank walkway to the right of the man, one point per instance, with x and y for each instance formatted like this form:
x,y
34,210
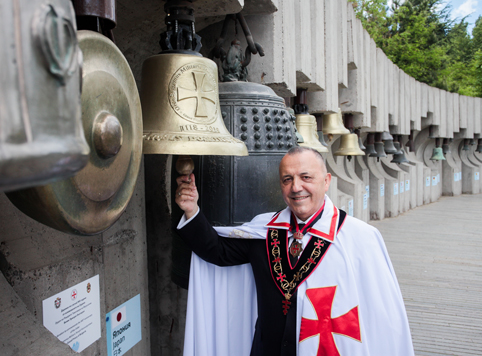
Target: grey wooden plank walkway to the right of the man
x,y
436,251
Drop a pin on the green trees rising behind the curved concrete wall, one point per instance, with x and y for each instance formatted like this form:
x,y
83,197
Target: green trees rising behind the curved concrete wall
x,y
420,38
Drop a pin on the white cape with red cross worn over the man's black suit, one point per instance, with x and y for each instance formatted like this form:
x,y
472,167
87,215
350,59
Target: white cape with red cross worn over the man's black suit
x,y
355,271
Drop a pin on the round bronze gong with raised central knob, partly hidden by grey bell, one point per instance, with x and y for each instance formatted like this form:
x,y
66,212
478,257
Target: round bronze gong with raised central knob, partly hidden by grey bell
x,y
93,200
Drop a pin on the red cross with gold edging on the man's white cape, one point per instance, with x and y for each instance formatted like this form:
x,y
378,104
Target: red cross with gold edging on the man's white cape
x,y
347,324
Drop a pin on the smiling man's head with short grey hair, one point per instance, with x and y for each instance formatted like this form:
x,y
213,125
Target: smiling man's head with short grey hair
x,y
303,183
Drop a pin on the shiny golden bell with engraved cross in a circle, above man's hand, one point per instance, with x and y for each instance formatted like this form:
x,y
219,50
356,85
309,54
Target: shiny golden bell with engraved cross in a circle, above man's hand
x,y
180,107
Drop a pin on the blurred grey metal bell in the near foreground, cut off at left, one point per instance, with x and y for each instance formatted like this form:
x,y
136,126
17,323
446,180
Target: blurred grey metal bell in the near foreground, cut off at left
x,y
41,138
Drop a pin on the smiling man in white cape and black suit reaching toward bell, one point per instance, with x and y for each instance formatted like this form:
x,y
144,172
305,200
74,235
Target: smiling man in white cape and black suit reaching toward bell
x,y
324,281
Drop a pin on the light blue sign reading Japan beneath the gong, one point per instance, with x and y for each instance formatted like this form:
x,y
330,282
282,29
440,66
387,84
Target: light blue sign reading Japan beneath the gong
x,y
123,327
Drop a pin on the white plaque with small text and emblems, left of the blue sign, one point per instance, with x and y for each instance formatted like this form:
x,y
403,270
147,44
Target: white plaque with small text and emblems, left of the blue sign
x,y
73,315
